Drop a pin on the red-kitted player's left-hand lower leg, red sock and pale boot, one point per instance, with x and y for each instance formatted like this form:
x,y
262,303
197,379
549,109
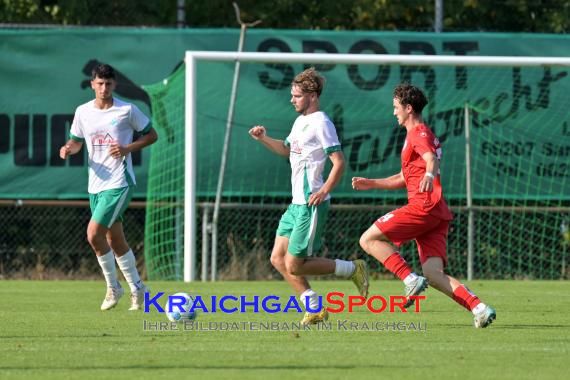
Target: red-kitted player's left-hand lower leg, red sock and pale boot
x,y
377,245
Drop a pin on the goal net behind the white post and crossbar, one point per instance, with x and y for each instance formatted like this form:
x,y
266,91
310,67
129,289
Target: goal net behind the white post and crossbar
x,y
507,183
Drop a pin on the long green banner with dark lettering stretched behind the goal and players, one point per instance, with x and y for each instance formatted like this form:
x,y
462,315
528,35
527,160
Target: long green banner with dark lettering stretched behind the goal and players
x,y
520,128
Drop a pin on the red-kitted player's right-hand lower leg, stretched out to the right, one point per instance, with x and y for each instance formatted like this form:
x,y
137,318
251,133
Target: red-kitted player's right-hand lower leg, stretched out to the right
x,y
483,314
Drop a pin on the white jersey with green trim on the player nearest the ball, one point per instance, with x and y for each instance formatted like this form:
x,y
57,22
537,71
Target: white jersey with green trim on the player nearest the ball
x,y
312,138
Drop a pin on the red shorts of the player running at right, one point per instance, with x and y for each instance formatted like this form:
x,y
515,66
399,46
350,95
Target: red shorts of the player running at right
x,y
429,232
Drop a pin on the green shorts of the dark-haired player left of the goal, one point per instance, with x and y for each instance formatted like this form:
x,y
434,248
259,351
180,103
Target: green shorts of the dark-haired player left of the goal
x,y
108,206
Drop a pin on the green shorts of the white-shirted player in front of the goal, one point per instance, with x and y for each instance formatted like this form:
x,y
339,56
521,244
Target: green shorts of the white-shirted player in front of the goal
x,y
303,225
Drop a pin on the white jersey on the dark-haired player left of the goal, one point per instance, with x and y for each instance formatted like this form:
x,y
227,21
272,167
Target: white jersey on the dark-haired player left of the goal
x,y
98,129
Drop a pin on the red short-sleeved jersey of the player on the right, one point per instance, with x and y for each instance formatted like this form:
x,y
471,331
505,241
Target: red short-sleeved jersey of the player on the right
x,y
419,141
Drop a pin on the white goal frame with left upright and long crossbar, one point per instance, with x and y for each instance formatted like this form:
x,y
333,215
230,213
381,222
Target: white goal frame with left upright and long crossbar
x,y
192,58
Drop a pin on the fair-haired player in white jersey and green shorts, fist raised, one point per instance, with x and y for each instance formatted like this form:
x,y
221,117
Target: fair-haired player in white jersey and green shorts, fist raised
x,y
312,140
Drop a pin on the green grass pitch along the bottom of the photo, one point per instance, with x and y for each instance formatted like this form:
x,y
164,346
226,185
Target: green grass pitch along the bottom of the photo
x,y
55,330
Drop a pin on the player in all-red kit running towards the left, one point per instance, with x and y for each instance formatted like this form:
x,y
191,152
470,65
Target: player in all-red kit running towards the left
x,y
424,219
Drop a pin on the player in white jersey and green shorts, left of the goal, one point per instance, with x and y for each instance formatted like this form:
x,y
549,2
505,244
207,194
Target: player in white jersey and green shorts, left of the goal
x,y
106,126
